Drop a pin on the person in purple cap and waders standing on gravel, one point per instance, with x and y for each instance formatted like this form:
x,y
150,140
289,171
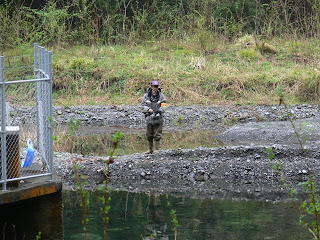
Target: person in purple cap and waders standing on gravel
x,y
153,103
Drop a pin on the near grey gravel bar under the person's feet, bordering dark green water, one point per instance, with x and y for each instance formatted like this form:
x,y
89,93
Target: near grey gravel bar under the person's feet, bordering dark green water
x,y
241,172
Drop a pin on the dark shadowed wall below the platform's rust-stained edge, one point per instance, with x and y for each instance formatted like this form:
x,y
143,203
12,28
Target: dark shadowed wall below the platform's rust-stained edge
x,y
28,217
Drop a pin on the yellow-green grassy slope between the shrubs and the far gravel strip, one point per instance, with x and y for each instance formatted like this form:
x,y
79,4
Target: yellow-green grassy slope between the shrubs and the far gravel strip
x,y
196,70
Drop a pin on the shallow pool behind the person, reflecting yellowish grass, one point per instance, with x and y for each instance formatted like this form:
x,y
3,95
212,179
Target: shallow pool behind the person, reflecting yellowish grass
x,y
101,144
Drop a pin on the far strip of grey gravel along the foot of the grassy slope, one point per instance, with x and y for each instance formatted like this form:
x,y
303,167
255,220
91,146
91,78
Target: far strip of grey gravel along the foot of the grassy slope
x,y
188,116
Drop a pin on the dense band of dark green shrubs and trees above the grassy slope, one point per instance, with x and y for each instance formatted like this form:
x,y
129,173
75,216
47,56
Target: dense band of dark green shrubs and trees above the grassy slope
x,y
130,21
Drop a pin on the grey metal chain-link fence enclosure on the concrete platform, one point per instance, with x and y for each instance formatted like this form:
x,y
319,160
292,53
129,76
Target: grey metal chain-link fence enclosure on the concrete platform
x,y
26,141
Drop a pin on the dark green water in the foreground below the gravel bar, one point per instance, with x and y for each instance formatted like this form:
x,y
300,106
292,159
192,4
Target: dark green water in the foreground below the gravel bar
x,y
136,215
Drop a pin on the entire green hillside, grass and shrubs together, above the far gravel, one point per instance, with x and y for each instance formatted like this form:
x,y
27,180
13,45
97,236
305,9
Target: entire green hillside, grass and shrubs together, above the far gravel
x,y
202,52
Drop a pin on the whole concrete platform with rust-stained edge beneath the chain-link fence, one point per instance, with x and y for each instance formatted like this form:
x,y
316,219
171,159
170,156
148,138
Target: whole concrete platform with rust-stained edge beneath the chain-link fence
x,y
32,208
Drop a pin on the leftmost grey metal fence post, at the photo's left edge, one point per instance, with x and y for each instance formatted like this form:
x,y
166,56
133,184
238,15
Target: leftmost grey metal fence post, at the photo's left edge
x,y
3,126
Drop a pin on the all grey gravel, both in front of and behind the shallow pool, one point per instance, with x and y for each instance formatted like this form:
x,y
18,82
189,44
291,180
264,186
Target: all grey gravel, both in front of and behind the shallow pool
x,y
241,171
